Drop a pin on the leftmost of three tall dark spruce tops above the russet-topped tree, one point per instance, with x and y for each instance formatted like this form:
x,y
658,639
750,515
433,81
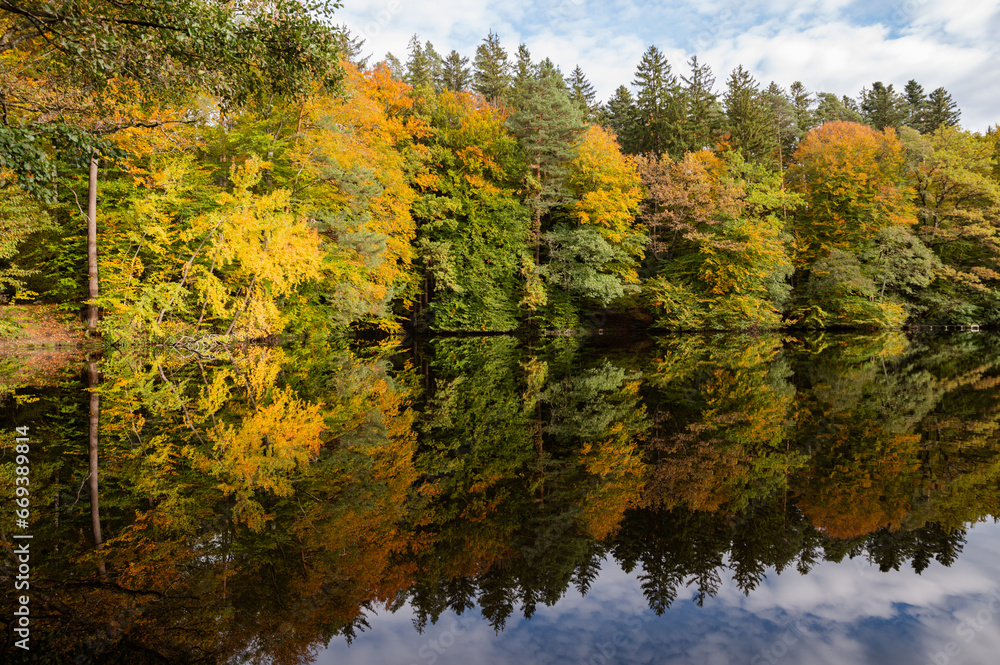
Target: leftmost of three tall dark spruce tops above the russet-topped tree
x,y
657,104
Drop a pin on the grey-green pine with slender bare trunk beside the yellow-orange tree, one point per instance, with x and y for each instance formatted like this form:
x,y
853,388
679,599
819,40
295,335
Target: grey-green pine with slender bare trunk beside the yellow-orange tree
x,y
548,127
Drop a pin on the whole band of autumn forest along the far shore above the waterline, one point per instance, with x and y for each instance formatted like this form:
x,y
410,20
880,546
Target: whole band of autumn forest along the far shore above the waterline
x,y
185,170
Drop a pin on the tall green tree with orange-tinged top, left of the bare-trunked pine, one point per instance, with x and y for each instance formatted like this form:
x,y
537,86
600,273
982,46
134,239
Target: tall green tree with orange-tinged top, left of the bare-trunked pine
x,y
473,233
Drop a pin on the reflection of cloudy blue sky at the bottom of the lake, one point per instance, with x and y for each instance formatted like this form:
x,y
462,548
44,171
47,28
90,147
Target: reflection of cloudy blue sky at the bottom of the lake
x,y
845,613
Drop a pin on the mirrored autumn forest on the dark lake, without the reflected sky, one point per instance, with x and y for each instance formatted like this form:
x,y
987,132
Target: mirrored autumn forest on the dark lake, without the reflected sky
x,y
259,504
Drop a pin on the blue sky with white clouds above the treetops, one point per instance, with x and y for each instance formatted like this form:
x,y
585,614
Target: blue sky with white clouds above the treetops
x,y
830,45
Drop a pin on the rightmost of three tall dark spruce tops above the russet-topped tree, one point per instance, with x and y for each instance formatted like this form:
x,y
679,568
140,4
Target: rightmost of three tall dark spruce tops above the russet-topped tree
x,y
752,125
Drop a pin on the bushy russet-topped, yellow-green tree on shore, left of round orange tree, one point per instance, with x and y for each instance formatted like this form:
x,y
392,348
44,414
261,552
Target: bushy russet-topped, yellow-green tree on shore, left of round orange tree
x,y
719,225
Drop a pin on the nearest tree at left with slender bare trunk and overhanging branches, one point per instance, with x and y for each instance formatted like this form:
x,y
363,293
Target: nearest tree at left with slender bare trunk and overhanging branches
x,y
77,52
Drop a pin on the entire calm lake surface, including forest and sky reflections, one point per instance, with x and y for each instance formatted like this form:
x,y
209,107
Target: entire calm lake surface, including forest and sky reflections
x,y
772,499
